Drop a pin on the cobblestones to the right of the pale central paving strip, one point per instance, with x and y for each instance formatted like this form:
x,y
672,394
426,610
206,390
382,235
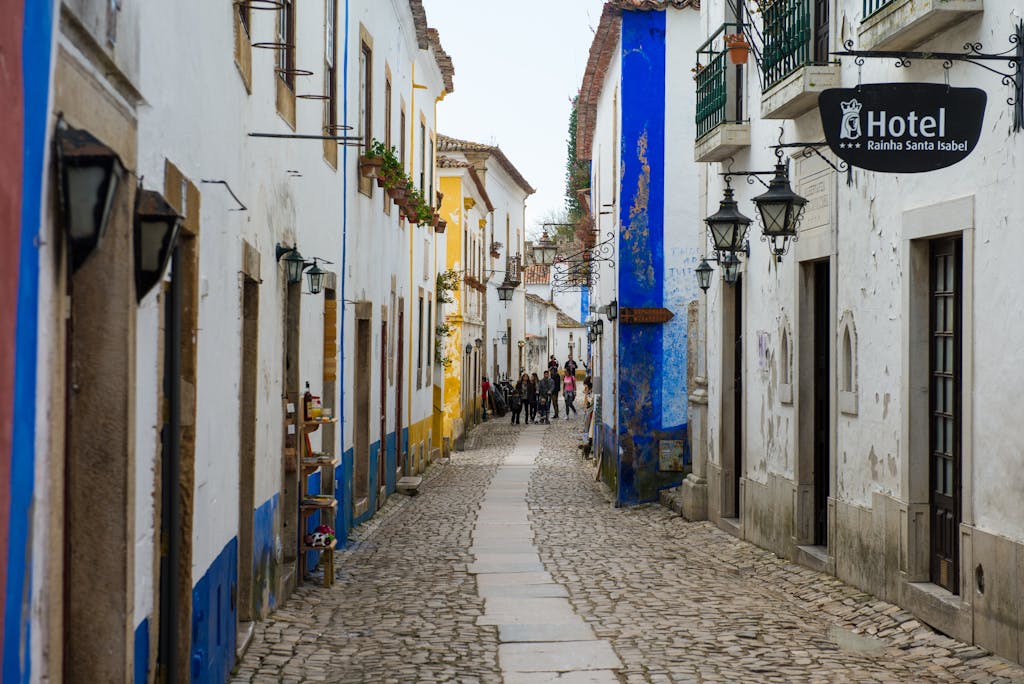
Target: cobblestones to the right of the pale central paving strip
x,y
688,603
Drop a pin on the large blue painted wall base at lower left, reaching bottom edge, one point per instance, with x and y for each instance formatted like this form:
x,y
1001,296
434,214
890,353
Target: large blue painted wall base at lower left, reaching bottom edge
x,y
215,619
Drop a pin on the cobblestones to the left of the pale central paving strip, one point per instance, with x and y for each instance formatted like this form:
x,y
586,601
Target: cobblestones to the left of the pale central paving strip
x,y
404,608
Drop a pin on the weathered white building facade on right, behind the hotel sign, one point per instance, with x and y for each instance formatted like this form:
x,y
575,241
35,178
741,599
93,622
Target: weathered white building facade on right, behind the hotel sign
x,y
861,416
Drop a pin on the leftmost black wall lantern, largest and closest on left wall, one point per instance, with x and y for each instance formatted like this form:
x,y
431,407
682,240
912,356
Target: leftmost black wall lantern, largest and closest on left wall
x,y
91,175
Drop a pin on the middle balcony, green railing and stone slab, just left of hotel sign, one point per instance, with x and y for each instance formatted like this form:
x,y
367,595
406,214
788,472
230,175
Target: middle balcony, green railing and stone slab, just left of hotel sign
x,y
795,69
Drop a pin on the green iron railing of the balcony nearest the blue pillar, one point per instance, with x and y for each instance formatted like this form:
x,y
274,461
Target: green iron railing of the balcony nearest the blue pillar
x,y
712,79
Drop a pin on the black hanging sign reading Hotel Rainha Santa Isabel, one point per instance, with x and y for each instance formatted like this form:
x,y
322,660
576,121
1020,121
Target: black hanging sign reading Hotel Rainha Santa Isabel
x,y
903,127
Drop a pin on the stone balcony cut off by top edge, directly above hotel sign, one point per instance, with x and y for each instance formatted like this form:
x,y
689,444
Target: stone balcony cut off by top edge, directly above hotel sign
x,y
906,25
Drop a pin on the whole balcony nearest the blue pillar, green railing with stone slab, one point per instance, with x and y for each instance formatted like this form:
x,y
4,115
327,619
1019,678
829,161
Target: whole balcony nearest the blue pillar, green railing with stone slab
x,y
721,130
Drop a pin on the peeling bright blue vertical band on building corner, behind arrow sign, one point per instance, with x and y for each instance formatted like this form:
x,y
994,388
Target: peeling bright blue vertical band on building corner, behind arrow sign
x,y
642,271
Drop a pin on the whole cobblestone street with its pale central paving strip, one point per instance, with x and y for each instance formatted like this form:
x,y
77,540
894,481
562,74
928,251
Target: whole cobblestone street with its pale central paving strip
x,y
443,587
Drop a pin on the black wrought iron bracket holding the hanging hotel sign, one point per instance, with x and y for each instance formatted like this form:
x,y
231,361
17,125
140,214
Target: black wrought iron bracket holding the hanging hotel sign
x,y
1013,59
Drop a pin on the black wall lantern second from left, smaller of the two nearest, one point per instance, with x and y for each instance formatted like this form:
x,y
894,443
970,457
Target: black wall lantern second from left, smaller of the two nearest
x,y
156,230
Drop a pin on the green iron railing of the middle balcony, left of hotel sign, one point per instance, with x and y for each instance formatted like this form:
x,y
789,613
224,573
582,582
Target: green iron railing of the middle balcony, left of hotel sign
x,y
788,38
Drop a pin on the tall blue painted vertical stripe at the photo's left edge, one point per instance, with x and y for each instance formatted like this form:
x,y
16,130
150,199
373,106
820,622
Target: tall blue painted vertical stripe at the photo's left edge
x,y
37,34
